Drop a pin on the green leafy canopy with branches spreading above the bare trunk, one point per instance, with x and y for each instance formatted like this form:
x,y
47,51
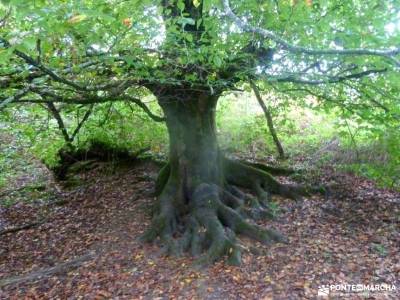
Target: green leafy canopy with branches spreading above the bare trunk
x,y
90,51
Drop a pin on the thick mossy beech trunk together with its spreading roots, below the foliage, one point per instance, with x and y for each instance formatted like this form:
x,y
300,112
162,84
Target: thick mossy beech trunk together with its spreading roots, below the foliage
x,y
200,207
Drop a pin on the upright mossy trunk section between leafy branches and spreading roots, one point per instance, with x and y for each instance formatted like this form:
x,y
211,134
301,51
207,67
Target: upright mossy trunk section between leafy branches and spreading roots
x,y
194,157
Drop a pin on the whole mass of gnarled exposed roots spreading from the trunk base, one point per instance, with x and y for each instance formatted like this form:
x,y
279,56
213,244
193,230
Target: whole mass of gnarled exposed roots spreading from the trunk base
x,y
207,221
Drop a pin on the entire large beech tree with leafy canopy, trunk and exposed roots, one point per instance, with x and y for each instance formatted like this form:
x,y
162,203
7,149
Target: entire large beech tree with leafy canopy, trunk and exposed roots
x,y
187,53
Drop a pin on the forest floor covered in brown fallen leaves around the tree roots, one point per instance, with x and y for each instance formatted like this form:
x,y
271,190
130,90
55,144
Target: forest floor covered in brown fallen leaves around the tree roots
x,y
84,242
